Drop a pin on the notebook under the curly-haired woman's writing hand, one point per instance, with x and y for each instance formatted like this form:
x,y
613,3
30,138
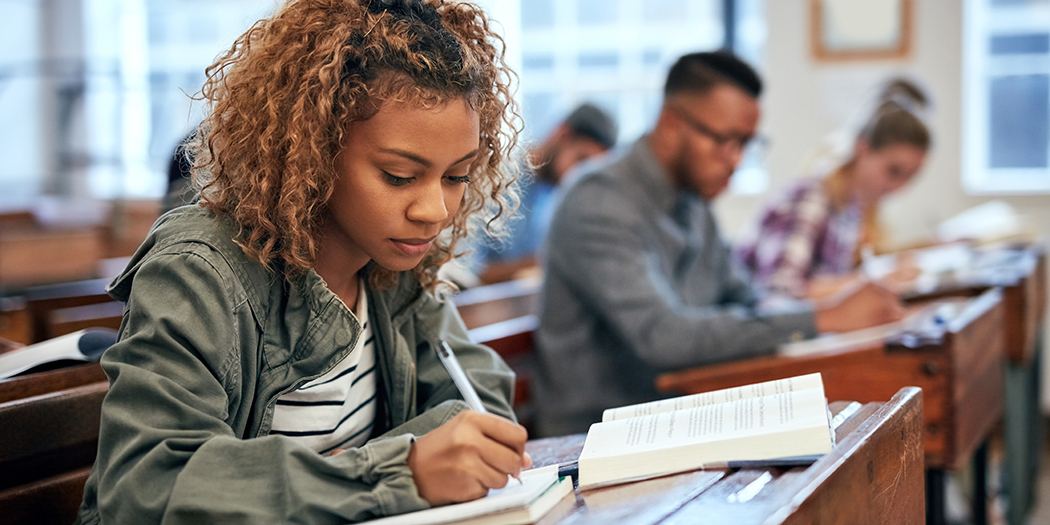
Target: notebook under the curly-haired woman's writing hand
x,y
518,503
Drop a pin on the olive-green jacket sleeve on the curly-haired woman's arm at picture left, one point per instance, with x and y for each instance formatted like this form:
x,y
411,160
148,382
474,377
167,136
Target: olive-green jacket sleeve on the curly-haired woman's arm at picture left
x,y
167,454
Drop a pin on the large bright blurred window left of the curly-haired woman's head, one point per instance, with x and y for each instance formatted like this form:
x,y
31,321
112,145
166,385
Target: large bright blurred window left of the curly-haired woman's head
x,y
103,91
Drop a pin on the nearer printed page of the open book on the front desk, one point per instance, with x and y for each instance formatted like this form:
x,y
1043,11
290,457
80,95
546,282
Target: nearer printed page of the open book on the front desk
x,y
725,422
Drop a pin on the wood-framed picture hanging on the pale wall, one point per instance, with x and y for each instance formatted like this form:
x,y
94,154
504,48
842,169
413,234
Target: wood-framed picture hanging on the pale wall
x,y
851,30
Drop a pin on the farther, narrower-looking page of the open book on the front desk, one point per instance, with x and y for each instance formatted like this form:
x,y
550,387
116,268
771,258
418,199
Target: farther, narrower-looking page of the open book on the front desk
x,y
723,396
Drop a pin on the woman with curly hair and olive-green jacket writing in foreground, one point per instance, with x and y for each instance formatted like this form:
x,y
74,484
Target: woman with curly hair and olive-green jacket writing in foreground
x,y
277,360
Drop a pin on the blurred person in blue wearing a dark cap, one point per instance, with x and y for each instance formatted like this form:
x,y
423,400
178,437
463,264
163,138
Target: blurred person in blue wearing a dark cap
x,y
586,133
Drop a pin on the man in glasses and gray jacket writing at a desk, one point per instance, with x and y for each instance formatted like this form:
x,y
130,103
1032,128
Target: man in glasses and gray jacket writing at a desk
x,y
637,278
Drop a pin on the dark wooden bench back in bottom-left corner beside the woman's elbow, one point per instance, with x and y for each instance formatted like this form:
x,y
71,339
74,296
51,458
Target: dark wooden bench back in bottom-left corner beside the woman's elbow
x,y
48,447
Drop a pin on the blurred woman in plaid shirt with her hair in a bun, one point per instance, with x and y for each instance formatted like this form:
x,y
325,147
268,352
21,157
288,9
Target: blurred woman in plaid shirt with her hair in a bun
x,y
809,241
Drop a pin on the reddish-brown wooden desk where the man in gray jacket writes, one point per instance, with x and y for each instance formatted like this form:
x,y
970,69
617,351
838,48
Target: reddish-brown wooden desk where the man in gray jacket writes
x,y
959,366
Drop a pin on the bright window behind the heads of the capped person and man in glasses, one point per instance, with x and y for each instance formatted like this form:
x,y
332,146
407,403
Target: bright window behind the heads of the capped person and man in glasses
x,y
617,54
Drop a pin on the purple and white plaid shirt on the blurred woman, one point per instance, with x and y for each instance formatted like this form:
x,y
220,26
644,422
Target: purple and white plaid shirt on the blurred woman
x,y
800,236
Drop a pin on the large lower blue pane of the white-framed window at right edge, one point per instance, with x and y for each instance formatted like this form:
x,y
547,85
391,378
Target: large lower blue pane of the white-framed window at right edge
x,y
1020,114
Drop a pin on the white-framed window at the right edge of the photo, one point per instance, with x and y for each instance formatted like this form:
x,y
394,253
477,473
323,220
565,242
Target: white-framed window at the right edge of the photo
x,y
1006,96
